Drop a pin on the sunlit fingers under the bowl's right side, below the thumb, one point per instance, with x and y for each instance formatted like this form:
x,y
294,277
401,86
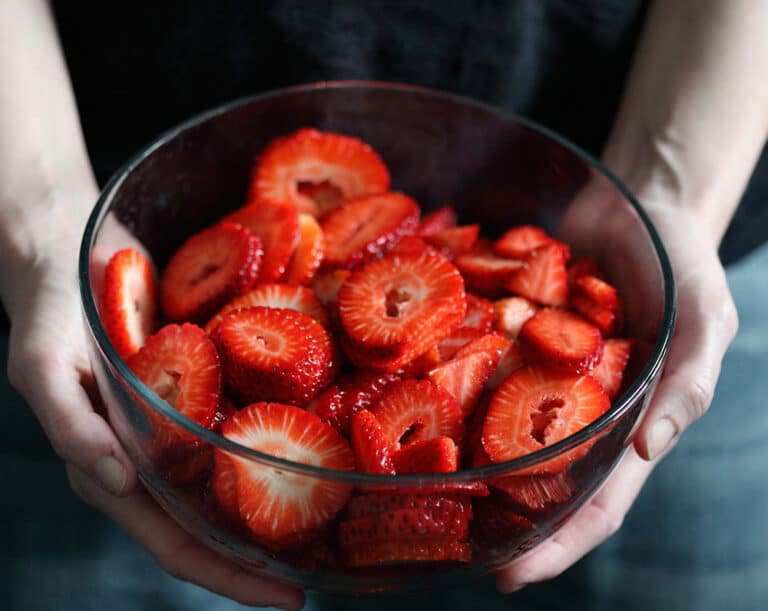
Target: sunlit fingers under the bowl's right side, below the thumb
x,y
593,524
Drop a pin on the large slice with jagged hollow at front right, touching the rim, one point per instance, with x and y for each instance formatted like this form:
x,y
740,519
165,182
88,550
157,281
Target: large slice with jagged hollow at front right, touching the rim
x,y
537,407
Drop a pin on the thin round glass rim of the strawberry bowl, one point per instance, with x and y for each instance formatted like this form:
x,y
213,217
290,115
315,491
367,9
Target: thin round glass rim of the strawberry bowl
x,y
618,408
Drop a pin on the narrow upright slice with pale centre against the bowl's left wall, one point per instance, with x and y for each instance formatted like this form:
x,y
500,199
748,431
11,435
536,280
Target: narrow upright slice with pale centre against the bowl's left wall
x,y
128,307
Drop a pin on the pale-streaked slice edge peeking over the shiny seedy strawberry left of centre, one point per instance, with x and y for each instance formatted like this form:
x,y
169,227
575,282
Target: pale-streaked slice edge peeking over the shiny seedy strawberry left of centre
x,y
298,298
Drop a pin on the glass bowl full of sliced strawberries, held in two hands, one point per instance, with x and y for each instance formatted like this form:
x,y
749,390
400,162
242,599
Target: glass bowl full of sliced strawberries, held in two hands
x,y
363,337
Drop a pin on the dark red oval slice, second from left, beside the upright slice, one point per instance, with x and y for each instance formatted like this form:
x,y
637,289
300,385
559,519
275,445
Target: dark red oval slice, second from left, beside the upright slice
x,y
208,270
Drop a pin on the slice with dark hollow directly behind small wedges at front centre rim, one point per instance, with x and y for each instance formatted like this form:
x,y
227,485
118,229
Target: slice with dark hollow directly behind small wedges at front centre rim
x,y
412,410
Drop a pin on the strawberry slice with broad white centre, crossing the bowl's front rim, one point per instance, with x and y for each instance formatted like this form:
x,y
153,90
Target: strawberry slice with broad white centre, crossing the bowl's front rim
x,y
280,505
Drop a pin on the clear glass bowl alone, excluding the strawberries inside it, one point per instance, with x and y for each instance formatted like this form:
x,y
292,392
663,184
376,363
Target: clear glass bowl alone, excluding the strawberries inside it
x,y
497,170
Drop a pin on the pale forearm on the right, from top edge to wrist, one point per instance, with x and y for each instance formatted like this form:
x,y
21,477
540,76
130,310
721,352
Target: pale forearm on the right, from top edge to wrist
x,y
694,116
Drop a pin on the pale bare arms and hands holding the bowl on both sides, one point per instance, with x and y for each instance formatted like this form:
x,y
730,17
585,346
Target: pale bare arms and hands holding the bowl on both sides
x,y
693,121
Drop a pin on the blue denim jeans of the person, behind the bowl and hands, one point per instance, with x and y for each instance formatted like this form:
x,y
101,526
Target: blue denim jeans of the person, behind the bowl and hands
x,y
696,538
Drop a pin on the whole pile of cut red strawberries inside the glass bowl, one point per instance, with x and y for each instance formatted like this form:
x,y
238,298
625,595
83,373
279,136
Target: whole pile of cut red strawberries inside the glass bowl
x,y
328,322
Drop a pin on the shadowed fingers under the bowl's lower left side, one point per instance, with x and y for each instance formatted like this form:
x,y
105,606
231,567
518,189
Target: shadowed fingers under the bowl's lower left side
x,y
179,553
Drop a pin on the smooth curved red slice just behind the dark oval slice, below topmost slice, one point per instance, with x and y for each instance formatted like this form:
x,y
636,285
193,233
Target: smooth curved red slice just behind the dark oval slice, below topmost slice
x,y
277,225
